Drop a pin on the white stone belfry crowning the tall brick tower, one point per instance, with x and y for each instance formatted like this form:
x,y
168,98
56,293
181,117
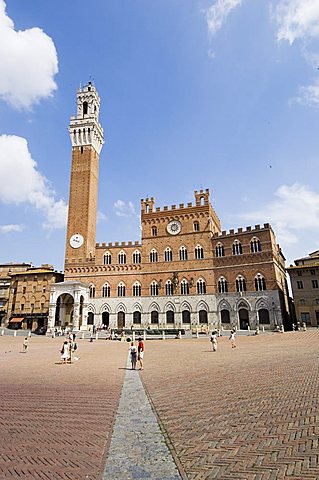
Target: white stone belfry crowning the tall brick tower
x,y
85,128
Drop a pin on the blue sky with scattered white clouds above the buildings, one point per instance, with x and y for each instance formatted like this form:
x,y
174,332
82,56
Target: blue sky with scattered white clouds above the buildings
x,y
194,94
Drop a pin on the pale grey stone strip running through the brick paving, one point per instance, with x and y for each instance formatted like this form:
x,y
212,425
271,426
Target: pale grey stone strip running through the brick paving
x,y
138,449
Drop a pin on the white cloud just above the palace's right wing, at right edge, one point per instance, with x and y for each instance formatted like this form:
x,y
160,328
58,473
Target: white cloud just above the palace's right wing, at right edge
x,y
293,212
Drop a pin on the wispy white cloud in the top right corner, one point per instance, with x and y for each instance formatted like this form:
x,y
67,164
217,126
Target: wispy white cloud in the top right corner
x,y
297,19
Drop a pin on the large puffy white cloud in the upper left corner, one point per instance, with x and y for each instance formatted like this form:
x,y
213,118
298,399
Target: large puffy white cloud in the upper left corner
x,y
28,63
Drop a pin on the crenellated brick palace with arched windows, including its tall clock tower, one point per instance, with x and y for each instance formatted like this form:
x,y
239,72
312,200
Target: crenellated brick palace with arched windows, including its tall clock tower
x,y
186,272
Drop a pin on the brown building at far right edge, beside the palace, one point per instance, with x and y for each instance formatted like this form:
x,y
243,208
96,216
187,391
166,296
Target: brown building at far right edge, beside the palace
x,y
304,277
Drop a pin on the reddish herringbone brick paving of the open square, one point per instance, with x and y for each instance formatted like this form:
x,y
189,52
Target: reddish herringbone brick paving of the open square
x,y
245,413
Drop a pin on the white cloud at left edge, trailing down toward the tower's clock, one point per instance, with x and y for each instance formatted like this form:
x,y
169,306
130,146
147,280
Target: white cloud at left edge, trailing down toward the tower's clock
x,y
23,183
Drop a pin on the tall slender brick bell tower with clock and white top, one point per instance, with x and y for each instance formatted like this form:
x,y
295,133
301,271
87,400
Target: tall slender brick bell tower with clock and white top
x,y
87,140
